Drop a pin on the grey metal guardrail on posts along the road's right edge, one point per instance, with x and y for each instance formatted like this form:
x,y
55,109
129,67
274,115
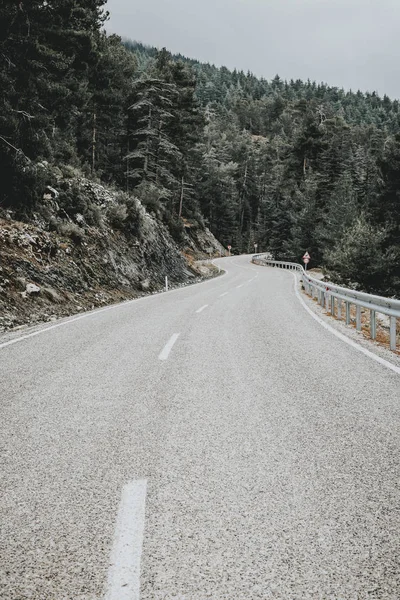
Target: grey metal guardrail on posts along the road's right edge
x,y
333,297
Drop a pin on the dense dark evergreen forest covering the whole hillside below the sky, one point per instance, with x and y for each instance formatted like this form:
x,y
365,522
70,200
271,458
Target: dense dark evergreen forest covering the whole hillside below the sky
x,y
289,166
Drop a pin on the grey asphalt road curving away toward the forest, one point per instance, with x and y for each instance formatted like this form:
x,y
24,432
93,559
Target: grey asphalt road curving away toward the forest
x,y
270,449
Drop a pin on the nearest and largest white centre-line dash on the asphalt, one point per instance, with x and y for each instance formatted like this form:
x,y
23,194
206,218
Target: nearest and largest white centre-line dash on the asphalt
x,y
124,572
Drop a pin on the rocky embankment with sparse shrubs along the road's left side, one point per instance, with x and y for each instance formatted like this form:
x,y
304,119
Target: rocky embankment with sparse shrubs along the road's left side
x,y
59,265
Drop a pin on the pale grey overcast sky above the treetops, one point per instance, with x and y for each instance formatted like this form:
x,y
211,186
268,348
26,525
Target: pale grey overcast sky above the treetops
x,y
353,44
